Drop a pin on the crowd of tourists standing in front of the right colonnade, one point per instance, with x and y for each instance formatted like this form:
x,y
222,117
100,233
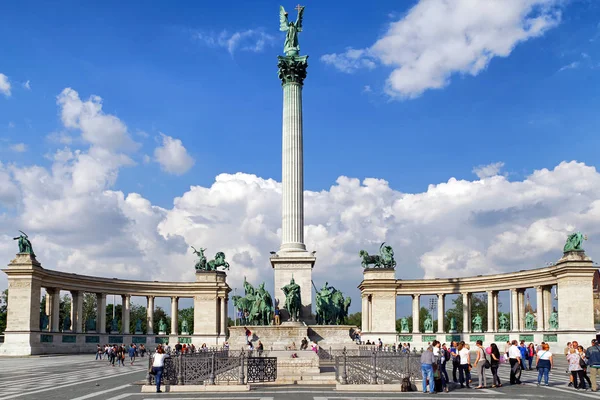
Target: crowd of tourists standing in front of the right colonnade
x,y
519,356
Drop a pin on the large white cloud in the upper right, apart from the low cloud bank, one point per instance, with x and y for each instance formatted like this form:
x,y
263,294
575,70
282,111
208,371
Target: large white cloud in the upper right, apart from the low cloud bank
x,y
438,38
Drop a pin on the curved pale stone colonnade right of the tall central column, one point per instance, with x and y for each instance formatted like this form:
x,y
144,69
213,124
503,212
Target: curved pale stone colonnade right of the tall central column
x,y
572,275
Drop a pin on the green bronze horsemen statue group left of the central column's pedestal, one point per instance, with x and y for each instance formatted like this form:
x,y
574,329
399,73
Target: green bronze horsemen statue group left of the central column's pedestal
x,y
257,302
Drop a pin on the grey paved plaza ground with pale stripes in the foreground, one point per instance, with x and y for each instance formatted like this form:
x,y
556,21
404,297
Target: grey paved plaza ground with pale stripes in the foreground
x,y
80,377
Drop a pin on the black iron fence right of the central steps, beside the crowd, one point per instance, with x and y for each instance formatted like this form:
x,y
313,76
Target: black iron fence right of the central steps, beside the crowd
x,y
377,367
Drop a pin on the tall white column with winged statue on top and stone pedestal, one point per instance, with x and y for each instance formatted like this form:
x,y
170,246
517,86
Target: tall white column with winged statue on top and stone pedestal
x,y
292,263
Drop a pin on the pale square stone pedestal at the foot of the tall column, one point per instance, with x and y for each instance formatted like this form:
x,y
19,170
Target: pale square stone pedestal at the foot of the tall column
x,y
298,265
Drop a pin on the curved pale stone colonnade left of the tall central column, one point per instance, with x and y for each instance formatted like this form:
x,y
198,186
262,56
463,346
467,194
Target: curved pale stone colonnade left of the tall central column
x,y
24,334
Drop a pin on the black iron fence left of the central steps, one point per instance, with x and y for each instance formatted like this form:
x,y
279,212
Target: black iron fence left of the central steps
x,y
227,367
